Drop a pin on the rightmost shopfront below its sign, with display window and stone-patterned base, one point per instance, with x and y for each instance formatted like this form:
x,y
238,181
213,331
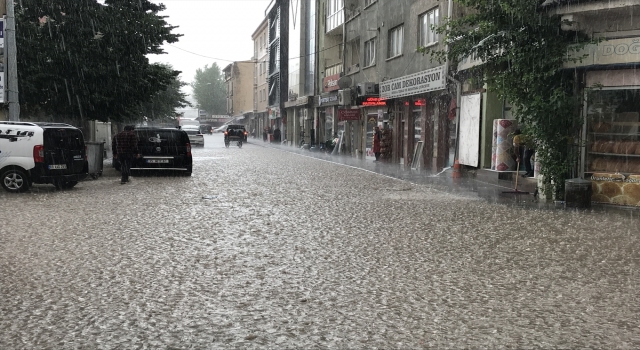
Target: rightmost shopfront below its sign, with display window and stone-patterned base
x,y
612,132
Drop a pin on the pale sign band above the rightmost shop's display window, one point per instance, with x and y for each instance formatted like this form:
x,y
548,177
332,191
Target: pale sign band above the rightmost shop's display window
x,y
615,51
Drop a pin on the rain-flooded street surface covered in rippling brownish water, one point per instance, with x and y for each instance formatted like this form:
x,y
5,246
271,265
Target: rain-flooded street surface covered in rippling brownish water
x,y
265,248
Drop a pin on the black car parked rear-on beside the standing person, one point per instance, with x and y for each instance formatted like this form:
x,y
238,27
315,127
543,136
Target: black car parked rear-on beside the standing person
x,y
162,149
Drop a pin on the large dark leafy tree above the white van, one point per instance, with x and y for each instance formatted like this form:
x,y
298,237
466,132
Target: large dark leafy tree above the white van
x,y
84,60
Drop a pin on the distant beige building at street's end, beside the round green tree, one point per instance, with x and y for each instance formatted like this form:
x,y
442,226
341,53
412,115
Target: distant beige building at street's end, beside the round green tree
x,y
239,78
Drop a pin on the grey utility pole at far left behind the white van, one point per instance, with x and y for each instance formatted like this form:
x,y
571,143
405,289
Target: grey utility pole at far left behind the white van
x,y
12,64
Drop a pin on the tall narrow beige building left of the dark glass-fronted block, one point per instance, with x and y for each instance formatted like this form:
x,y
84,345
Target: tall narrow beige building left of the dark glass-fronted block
x,y
261,87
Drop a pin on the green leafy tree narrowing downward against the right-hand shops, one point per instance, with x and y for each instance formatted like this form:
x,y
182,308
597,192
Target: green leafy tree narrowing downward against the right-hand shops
x,y
523,48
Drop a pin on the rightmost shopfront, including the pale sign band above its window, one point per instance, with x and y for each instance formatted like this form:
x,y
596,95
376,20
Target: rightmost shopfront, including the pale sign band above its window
x,y
611,132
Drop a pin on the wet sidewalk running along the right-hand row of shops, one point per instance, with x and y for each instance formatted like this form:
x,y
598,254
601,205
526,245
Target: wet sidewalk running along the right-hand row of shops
x,y
474,184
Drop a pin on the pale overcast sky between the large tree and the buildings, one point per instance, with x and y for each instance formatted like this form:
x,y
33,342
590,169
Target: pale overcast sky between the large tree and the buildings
x,y
214,31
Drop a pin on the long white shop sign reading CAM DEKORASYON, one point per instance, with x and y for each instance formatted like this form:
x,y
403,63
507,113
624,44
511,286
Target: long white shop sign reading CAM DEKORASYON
x,y
413,84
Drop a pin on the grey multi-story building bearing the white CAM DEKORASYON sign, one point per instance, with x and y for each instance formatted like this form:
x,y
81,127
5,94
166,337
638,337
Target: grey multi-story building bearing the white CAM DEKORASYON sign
x,y
395,86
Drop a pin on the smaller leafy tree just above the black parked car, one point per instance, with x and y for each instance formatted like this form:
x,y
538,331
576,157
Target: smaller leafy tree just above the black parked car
x,y
163,103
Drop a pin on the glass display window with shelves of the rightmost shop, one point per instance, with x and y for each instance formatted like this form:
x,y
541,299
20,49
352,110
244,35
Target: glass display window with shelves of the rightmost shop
x,y
613,131
